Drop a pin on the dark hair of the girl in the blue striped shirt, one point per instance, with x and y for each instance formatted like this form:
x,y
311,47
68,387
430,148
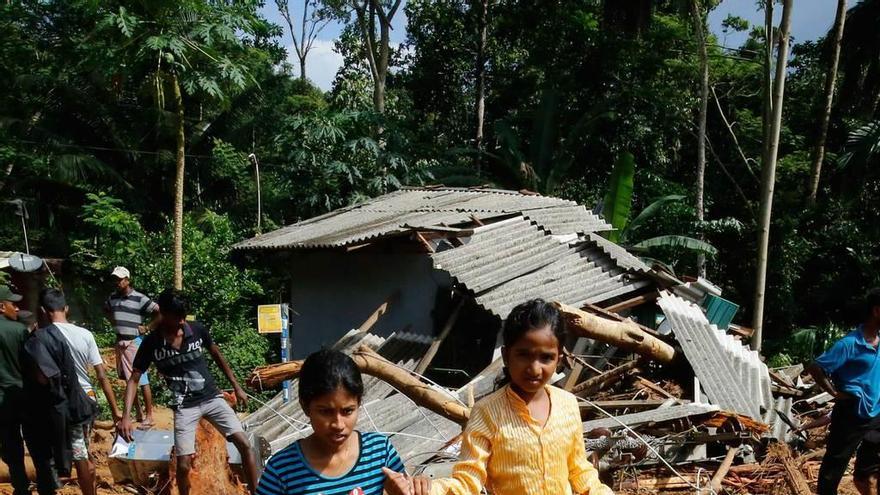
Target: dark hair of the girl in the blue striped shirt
x,y
325,371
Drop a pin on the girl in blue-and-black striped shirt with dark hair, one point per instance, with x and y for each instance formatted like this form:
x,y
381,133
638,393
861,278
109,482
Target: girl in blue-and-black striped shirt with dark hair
x,y
335,459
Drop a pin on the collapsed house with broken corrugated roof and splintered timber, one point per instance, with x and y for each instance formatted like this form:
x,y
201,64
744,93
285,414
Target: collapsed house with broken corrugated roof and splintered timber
x,y
425,276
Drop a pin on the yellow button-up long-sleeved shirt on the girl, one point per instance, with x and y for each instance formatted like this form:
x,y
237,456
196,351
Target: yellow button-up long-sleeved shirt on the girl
x,y
505,450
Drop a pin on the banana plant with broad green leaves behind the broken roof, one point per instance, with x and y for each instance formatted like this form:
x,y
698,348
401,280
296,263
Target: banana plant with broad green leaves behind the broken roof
x,y
617,208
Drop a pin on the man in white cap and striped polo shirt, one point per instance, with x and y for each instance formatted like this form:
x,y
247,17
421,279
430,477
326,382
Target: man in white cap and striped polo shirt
x,y
126,308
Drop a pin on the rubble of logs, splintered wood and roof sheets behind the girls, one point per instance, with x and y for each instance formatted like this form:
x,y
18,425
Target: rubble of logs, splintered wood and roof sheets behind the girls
x,y
680,407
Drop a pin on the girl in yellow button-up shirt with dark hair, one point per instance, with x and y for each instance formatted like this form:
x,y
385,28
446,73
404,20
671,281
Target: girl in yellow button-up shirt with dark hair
x,y
526,438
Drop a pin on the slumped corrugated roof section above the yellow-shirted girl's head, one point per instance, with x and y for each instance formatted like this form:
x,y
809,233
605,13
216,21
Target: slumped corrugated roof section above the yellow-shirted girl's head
x,y
513,260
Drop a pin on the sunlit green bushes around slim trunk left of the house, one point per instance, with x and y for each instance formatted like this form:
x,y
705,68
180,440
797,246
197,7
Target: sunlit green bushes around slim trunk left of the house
x,y
221,295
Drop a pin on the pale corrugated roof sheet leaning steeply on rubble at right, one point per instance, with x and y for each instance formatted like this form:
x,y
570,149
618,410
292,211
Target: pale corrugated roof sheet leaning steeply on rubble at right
x,y
732,375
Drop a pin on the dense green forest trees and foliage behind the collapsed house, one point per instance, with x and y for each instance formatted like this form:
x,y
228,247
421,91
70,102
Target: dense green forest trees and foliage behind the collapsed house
x,y
572,87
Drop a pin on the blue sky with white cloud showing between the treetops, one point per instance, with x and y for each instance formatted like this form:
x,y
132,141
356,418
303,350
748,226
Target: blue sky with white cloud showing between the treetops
x,y
810,20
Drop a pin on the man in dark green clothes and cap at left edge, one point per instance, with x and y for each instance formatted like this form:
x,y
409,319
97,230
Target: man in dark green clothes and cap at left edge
x,y
12,337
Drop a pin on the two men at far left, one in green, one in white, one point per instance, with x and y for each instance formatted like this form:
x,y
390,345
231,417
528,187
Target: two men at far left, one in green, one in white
x,y
47,399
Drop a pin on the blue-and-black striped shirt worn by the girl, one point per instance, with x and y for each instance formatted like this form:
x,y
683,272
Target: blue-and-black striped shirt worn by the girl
x,y
289,473
